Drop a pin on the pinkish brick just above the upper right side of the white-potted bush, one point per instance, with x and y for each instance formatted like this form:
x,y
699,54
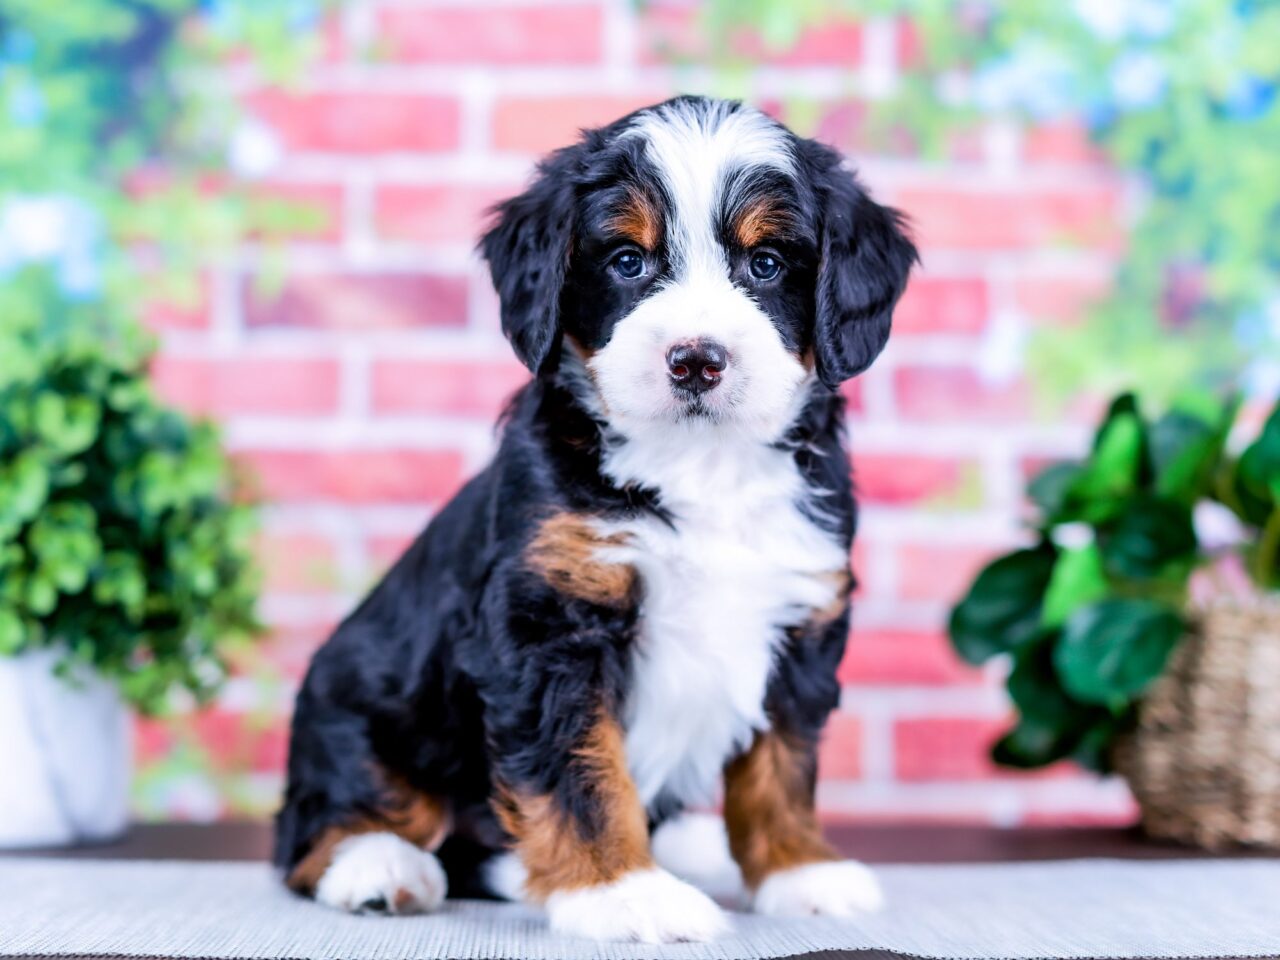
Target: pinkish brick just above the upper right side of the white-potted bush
x,y
248,385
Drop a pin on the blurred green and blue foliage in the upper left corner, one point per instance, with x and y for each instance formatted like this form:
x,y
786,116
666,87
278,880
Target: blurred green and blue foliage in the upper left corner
x,y
124,108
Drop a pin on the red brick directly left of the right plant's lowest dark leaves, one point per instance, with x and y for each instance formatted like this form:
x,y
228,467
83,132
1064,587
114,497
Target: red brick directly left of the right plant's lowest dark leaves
x,y
945,748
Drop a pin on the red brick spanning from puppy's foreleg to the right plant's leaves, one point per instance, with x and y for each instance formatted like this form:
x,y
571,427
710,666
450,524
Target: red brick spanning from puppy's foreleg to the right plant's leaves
x,y
904,657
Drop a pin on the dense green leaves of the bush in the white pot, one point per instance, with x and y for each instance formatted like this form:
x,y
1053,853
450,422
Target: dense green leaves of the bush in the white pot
x,y
120,538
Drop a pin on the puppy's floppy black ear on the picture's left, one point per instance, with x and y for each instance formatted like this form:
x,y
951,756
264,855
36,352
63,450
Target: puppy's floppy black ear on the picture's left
x,y
528,250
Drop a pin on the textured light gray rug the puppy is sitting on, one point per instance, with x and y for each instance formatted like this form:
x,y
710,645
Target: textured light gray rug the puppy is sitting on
x,y
239,912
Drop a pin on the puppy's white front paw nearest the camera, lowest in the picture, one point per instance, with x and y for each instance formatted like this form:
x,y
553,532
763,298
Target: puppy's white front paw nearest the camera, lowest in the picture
x,y
651,907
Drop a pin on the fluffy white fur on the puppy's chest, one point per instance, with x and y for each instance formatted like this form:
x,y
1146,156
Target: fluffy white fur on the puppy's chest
x,y
739,564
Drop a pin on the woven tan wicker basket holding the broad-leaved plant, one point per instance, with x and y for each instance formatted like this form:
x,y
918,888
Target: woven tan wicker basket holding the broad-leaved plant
x,y
1205,760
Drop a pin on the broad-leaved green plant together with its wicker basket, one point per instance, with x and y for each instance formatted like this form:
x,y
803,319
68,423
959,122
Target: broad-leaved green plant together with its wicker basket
x,y
1132,646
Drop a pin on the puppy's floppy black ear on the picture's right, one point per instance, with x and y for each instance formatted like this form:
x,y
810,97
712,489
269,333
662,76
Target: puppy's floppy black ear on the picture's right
x,y
866,260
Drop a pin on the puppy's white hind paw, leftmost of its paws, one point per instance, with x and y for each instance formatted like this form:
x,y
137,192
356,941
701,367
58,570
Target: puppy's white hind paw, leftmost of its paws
x,y
382,874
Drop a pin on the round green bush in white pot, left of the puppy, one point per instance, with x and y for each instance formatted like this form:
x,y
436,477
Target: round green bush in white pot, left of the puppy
x,y
125,563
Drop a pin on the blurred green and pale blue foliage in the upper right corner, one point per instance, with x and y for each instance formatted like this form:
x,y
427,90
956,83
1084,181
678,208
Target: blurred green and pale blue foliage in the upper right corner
x,y
1183,93
